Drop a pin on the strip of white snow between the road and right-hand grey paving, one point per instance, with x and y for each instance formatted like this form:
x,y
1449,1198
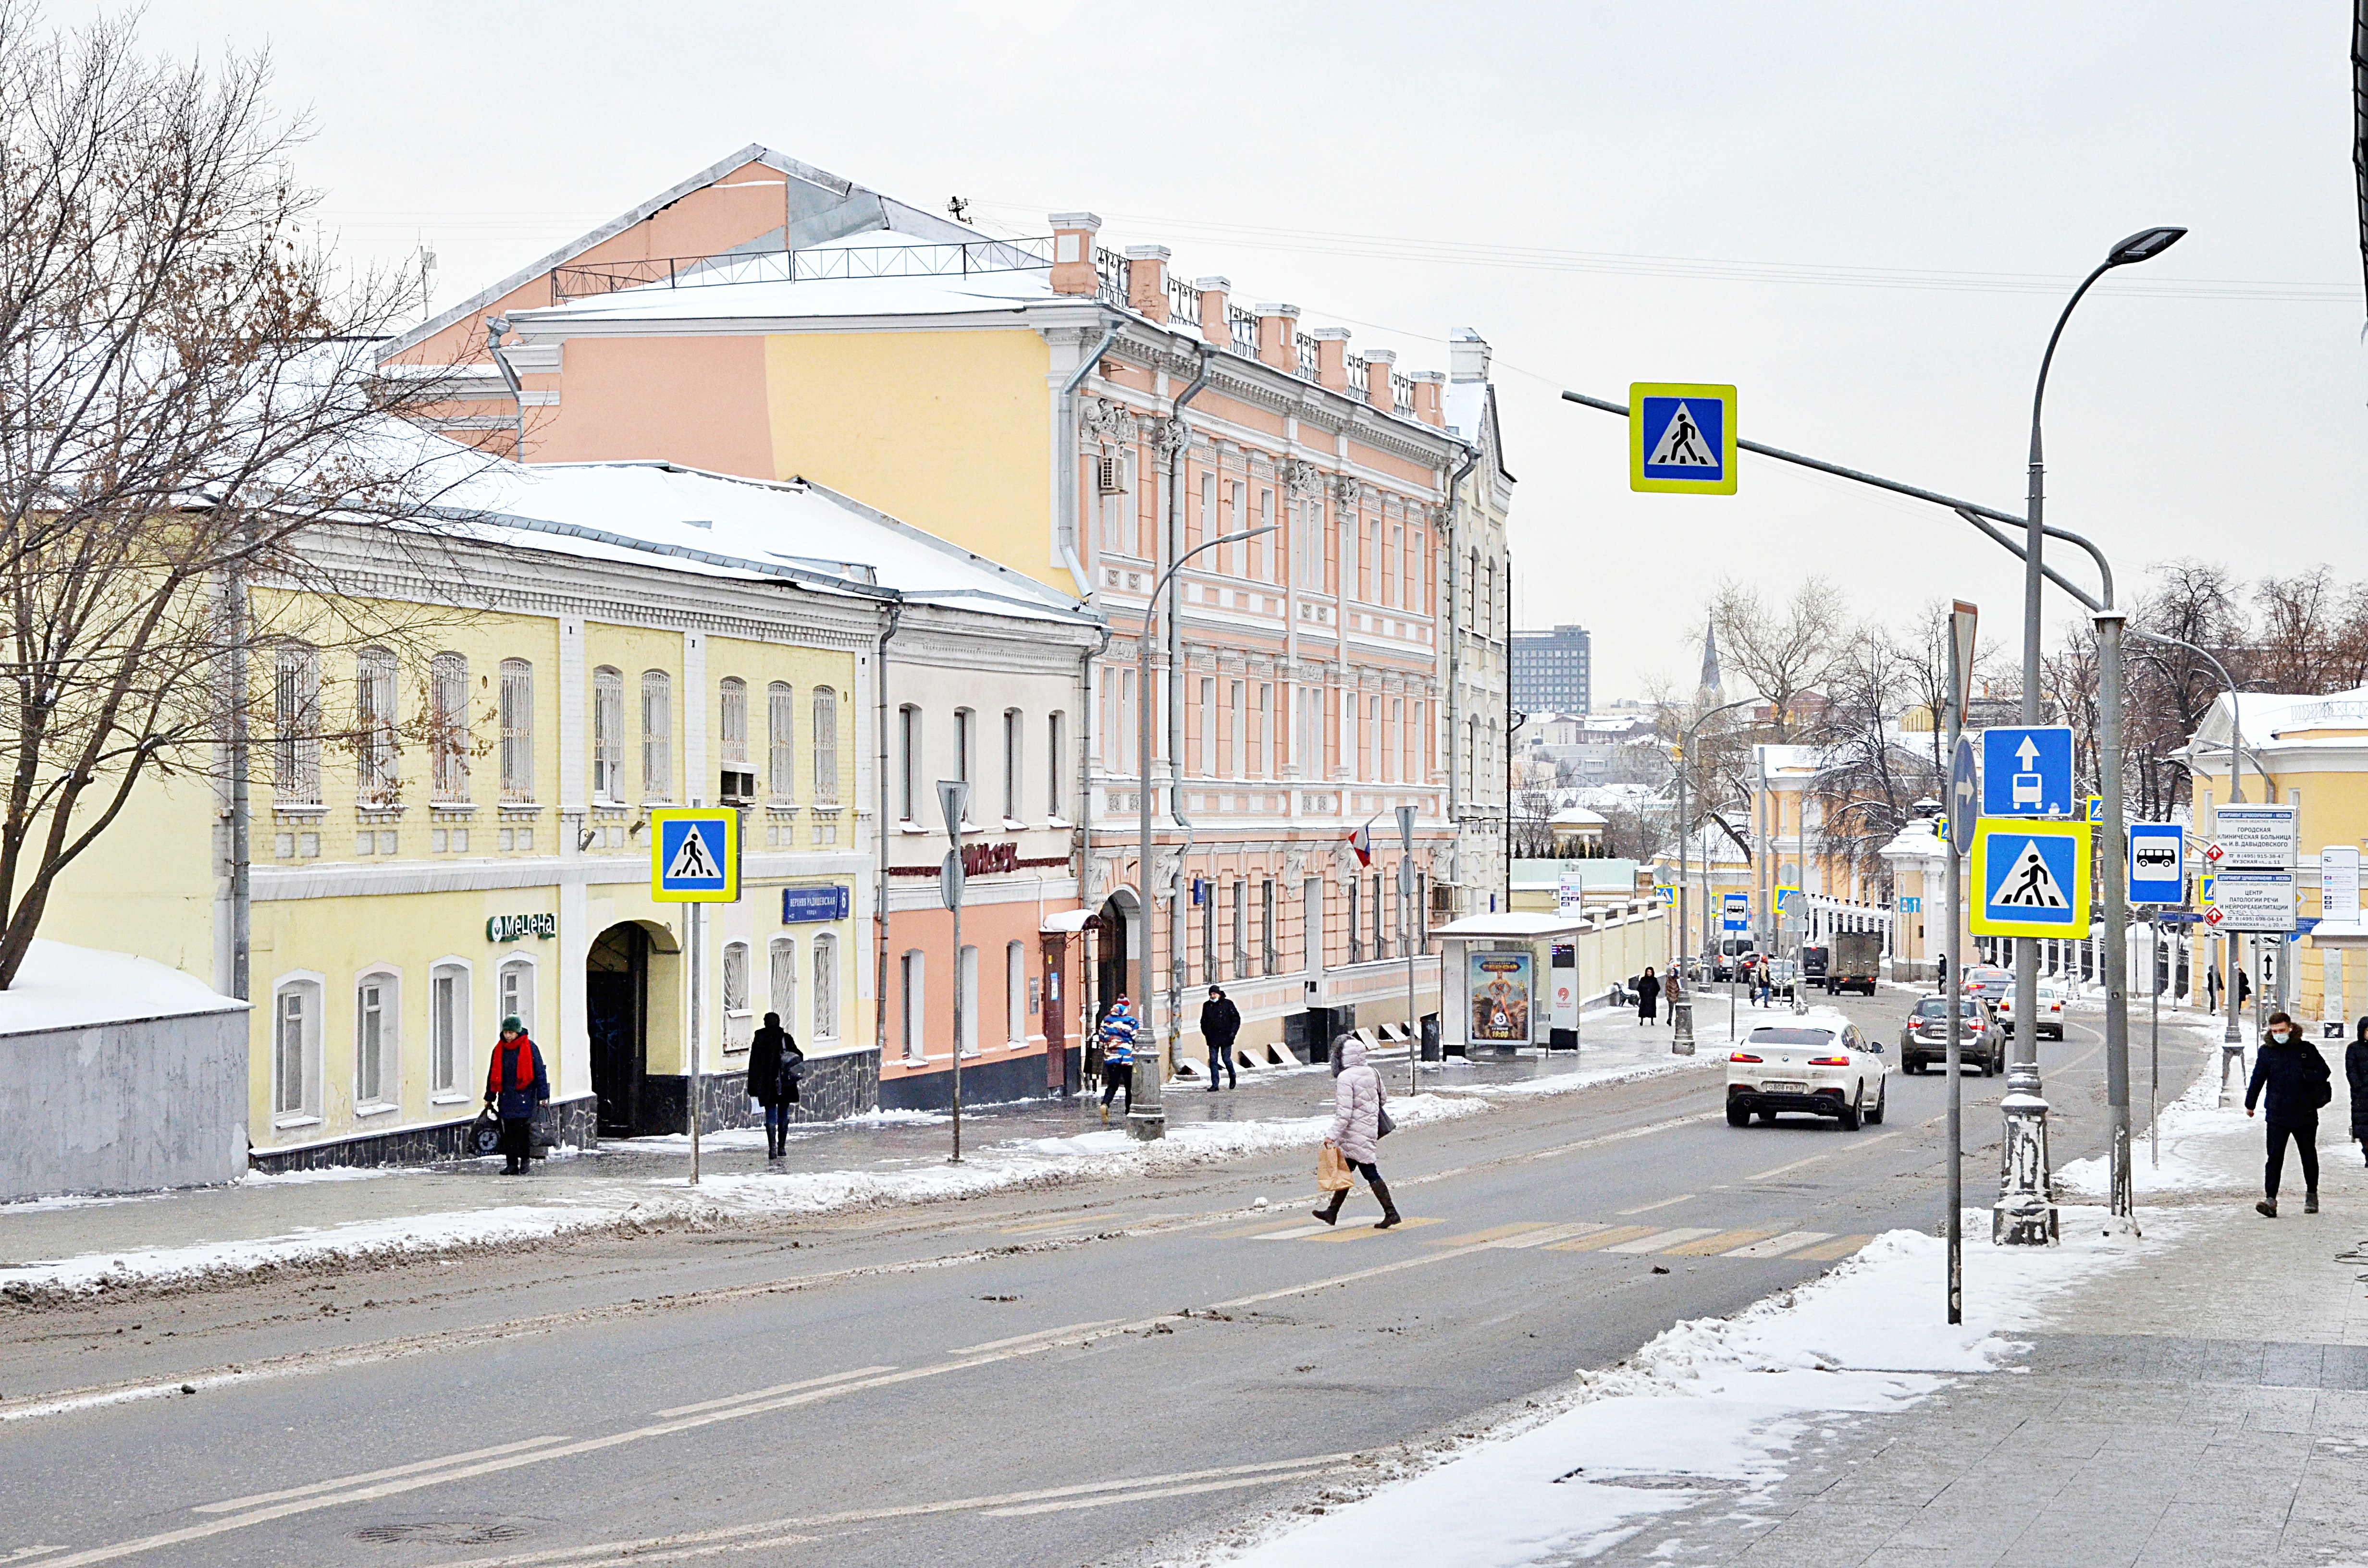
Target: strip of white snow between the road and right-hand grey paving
x,y
1713,1401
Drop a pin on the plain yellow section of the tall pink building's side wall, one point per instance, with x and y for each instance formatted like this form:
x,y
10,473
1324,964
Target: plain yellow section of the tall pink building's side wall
x,y
944,430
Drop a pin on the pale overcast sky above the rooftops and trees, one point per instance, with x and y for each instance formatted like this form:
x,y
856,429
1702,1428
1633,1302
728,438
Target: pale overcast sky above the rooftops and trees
x,y
1862,214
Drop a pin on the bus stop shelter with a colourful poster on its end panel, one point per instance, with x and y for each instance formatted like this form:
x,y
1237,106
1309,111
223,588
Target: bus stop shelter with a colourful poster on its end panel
x,y
1510,982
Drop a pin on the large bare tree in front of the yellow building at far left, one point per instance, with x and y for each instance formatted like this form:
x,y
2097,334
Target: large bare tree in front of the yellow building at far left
x,y
186,392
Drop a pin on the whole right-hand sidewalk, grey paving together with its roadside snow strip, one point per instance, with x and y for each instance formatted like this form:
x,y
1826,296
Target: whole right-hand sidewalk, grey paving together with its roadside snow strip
x,y
2196,1396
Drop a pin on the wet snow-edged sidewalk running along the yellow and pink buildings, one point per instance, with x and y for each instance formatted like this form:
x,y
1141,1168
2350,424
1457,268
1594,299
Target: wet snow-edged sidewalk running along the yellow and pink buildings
x,y
873,1162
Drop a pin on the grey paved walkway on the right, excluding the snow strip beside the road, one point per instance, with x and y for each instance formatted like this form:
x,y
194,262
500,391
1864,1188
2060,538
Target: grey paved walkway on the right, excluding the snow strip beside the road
x,y
2203,1406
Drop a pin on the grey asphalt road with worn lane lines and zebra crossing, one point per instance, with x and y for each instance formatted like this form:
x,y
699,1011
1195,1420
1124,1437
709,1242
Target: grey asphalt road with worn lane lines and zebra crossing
x,y
1029,1380
